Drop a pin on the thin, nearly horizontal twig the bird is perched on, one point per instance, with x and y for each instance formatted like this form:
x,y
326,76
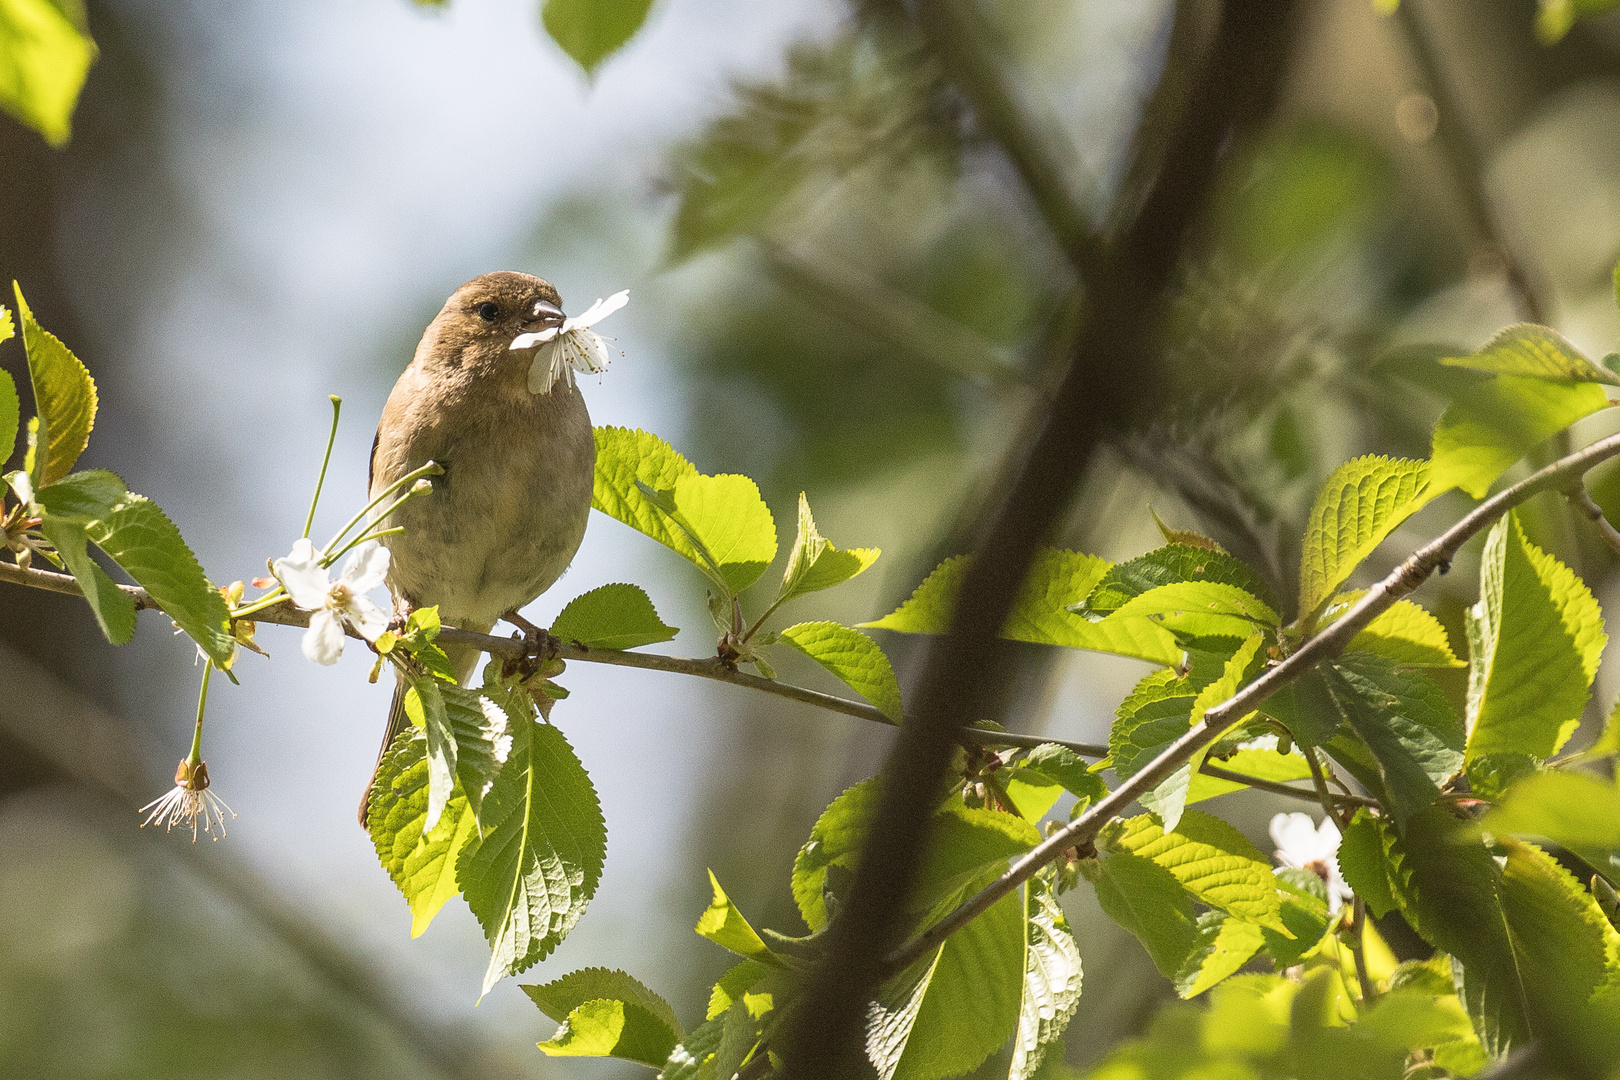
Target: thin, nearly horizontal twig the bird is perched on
x,y
284,614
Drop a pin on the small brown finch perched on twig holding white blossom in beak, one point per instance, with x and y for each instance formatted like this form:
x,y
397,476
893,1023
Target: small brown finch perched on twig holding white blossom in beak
x,y
509,511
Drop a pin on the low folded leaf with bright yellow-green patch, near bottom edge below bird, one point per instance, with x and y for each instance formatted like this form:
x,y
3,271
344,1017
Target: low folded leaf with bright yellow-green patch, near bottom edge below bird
x,y
607,1014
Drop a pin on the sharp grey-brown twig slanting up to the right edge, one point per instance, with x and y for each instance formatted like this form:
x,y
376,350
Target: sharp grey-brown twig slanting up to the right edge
x,y
1329,644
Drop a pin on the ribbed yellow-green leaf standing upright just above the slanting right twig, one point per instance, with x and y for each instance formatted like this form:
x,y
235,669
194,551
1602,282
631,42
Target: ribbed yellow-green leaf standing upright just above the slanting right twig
x,y
1358,506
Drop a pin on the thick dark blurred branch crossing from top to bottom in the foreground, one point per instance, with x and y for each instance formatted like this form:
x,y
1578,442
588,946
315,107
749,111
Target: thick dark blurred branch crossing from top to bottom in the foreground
x,y
1112,375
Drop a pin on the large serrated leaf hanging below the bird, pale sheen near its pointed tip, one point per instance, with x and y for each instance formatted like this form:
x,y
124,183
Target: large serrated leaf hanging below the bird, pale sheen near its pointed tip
x,y
542,856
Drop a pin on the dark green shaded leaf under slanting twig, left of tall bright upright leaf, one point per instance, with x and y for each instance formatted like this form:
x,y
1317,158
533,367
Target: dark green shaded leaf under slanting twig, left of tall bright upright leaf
x,y
1405,721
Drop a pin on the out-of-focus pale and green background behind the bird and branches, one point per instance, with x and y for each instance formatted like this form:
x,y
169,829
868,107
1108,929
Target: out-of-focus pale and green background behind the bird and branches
x,y
843,286
